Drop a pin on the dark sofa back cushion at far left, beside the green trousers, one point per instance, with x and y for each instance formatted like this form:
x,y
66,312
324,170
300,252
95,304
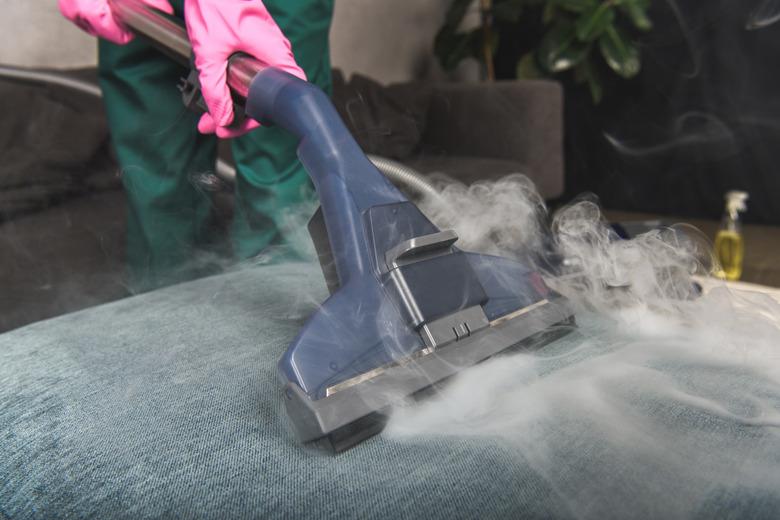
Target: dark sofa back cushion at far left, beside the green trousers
x,y
54,145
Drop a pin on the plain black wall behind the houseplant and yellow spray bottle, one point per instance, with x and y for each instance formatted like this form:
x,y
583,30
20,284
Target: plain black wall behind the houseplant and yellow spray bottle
x,y
702,118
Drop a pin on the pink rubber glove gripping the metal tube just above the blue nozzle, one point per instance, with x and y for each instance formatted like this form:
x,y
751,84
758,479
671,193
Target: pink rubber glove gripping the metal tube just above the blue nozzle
x,y
220,28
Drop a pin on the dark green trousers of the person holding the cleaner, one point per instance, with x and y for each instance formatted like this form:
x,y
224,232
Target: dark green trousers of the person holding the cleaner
x,y
160,150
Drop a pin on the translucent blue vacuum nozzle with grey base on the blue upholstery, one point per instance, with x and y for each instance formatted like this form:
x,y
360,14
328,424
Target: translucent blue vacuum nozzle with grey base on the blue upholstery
x,y
407,307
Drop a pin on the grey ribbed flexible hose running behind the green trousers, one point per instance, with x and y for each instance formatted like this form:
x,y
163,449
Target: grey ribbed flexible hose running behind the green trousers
x,y
398,173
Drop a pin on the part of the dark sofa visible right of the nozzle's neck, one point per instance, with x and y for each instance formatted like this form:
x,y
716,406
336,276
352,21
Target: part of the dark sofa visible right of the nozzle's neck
x,y
467,131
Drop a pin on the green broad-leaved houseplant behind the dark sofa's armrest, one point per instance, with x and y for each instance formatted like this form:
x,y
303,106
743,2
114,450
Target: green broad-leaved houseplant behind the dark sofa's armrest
x,y
589,39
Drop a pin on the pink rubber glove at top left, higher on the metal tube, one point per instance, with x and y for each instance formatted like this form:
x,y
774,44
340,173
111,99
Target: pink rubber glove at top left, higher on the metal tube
x,y
95,17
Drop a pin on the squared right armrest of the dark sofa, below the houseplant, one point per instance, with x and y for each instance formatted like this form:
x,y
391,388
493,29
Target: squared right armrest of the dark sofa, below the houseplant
x,y
519,121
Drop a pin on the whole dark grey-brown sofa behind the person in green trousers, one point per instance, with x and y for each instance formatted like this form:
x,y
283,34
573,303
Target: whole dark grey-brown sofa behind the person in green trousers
x,y
62,206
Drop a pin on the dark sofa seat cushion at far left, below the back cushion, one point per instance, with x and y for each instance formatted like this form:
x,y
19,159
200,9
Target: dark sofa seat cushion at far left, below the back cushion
x,y
66,258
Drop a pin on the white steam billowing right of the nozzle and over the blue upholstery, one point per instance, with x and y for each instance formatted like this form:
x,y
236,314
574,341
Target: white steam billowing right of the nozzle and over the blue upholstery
x,y
662,403
